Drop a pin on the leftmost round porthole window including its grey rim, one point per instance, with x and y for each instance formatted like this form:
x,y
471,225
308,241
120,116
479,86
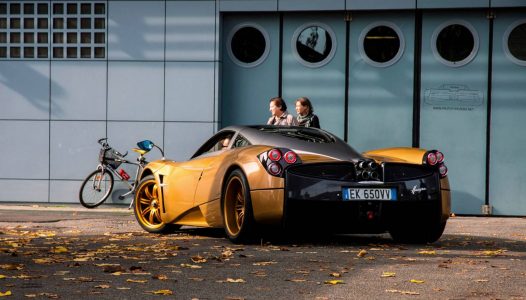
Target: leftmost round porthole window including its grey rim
x,y
248,45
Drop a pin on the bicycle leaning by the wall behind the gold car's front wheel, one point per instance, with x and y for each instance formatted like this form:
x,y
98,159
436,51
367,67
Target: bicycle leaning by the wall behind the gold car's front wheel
x,y
97,187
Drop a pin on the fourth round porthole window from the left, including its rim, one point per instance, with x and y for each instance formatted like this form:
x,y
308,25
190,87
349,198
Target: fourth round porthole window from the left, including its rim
x,y
455,43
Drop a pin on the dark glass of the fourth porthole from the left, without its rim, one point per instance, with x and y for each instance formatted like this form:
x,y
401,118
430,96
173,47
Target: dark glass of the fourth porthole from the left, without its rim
x,y
455,43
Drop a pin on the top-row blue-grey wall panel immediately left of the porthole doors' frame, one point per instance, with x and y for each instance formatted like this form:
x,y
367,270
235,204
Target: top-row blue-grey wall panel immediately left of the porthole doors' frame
x,y
190,30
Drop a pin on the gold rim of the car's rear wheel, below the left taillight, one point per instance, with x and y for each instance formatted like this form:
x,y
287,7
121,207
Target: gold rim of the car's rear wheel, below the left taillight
x,y
234,206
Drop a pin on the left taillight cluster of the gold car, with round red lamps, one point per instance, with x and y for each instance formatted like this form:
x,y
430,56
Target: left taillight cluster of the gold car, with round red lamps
x,y
275,162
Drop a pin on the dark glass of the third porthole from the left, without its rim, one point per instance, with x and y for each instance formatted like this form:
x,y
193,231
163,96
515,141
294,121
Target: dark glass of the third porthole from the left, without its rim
x,y
381,44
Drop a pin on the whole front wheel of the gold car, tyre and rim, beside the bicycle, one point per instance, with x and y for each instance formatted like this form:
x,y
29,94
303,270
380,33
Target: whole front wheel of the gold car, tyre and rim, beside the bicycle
x,y
147,207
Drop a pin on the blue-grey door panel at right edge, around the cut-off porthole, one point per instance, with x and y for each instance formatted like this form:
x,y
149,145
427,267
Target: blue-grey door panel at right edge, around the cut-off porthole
x,y
507,191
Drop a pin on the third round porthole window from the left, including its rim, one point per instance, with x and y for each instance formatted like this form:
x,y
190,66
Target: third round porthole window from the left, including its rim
x,y
382,44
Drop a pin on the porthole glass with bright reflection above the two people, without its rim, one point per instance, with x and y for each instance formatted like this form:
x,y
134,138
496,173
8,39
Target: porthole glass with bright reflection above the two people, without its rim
x,y
314,44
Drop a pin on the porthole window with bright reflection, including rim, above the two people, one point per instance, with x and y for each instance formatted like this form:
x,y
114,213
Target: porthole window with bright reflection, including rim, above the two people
x,y
314,44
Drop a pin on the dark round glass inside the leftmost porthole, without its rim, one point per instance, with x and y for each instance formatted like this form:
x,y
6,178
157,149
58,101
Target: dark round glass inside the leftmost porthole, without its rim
x,y
248,44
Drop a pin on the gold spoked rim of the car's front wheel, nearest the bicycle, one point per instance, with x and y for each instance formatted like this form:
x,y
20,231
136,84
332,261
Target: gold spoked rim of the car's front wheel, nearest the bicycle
x,y
147,205
